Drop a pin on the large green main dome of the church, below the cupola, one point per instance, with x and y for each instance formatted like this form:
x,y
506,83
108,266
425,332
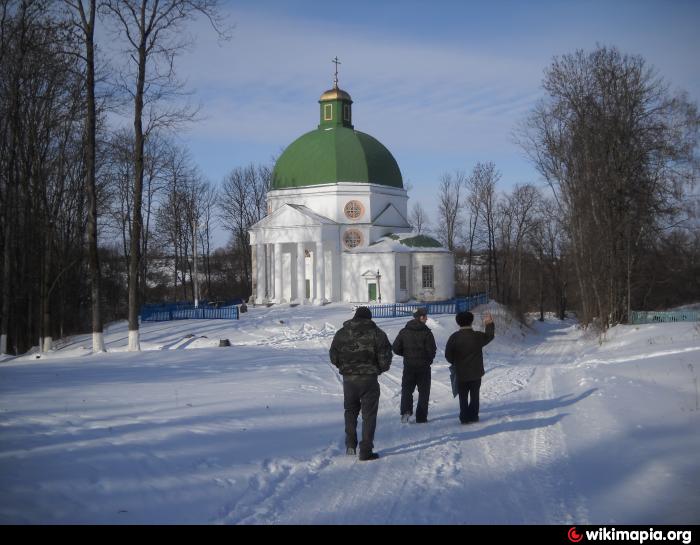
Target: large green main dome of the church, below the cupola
x,y
337,154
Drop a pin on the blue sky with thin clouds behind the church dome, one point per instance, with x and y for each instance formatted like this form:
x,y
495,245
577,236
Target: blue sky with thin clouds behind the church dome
x,y
442,84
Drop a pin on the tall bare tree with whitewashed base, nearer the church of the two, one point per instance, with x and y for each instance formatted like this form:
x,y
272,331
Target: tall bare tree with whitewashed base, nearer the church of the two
x,y
154,36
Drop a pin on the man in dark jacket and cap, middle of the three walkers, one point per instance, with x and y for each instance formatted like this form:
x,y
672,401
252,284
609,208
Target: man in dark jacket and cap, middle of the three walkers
x,y
416,344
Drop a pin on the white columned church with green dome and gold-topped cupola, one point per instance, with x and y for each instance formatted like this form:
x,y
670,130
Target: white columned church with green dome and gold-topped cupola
x,y
336,227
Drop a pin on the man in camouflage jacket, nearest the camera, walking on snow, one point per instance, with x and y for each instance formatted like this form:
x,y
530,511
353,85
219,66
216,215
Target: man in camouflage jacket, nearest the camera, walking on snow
x,y
361,351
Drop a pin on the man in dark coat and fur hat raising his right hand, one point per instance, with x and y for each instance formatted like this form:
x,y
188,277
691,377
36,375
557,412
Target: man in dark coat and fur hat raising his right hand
x,y
463,351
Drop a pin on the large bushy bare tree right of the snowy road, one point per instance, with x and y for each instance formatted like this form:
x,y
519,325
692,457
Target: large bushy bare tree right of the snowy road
x,y
617,149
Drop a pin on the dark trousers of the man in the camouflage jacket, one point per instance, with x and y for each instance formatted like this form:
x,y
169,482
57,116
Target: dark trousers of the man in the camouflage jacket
x,y
361,393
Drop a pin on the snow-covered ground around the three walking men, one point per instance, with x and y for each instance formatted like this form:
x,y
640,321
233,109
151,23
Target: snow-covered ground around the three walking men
x,y
572,431
